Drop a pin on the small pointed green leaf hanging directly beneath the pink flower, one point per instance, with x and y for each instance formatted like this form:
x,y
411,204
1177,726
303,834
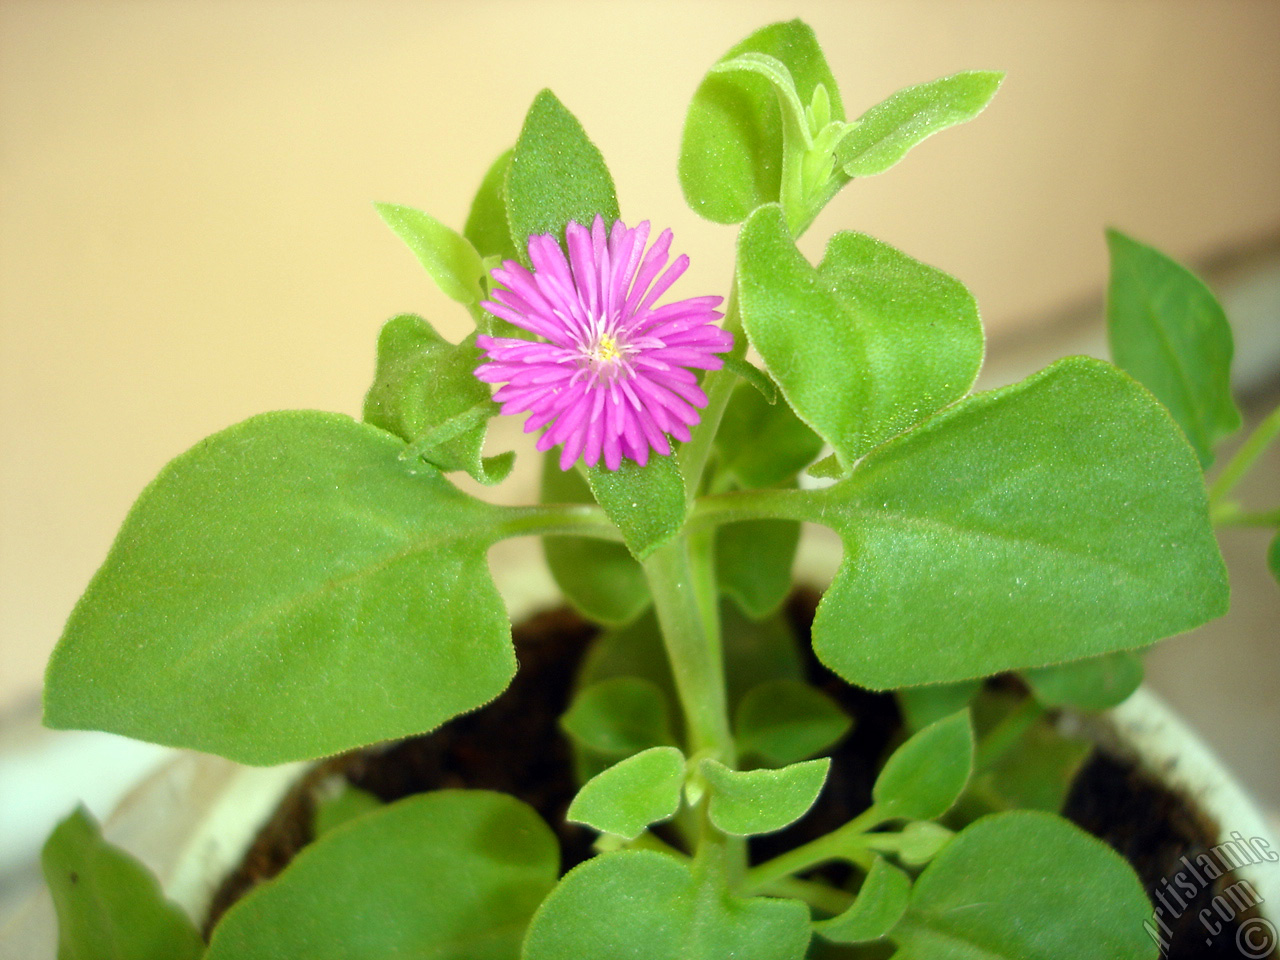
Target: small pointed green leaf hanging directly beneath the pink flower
x,y
647,504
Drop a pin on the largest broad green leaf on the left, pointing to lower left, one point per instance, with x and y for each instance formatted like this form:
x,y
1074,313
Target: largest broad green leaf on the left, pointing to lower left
x,y
332,593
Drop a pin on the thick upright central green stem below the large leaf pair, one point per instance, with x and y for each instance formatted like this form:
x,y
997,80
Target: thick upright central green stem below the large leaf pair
x,y
691,632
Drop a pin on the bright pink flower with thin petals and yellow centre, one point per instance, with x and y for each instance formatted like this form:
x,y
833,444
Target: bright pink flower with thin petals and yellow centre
x,y
612,376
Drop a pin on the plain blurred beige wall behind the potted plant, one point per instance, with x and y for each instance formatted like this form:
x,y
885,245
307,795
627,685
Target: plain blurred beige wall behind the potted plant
x,y
186,232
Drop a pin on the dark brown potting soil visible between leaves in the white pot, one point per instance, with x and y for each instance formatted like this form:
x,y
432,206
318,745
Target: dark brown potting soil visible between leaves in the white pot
x,y
515,746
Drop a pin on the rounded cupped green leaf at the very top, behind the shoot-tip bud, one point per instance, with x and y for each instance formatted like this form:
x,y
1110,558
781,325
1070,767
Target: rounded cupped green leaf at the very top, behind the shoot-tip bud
x,y
732,148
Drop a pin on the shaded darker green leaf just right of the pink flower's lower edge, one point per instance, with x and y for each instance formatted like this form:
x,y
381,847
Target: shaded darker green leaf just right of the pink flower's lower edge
x,y
764,445
